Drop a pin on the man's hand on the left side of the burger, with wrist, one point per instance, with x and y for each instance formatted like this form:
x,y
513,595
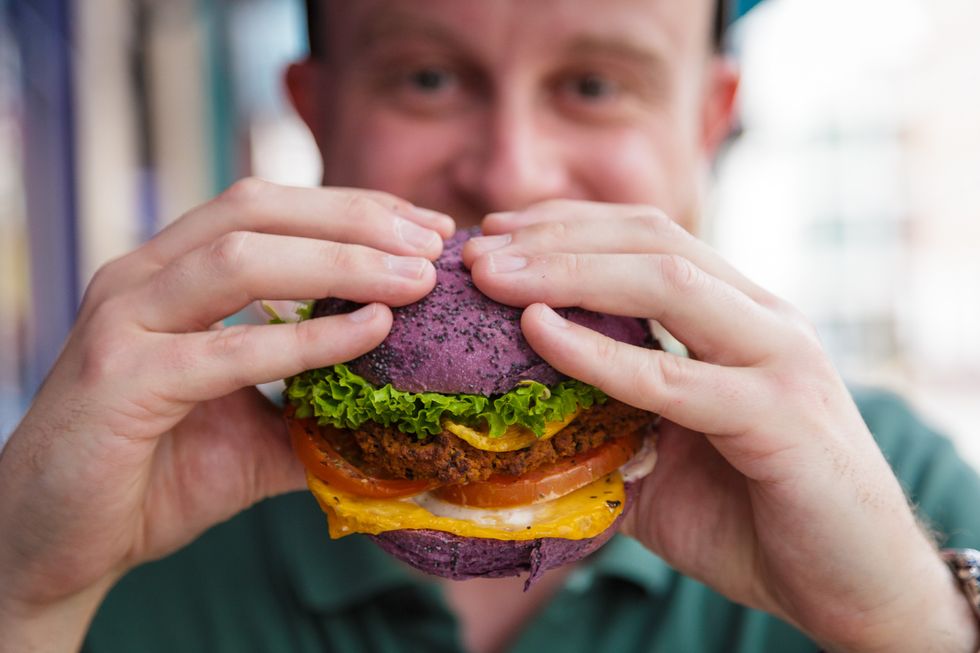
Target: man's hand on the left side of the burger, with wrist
x,y
147,431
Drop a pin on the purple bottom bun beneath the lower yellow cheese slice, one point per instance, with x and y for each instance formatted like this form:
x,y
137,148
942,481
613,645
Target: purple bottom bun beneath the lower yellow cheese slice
x,y
459,558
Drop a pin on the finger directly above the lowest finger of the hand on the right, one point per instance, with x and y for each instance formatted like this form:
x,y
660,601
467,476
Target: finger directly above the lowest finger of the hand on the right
x,y
716,321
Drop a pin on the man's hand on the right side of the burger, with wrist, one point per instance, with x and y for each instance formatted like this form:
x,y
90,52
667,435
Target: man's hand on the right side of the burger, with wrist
x,y
785,504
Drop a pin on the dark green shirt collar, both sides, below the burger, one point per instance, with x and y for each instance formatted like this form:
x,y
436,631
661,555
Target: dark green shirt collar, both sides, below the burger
x,y
328,575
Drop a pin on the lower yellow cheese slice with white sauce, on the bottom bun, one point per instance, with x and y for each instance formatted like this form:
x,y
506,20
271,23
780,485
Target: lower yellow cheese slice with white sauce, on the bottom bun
x,y
584,513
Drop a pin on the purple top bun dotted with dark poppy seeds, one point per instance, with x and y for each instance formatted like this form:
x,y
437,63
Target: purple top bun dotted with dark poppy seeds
x,y
458,340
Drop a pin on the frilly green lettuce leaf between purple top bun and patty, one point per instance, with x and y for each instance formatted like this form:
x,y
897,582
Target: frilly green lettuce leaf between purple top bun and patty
x,y
336,396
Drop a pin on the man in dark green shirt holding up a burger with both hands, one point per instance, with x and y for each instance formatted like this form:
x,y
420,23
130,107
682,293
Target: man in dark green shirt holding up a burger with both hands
x,y
770,488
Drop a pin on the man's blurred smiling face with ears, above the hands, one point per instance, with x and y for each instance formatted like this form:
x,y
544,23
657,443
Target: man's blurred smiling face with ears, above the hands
x,y
475,106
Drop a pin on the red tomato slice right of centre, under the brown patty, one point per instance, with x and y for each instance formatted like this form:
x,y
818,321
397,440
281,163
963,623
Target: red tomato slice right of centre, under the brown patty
x,y
546,483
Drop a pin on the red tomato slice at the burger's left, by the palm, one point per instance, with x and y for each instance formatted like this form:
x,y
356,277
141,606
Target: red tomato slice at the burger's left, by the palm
x,y
323,461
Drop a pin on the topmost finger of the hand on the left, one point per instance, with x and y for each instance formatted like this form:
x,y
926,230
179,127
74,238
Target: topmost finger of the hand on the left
x,y
370,218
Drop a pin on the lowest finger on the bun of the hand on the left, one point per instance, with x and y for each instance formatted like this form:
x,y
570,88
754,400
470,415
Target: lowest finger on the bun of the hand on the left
x,y
206,365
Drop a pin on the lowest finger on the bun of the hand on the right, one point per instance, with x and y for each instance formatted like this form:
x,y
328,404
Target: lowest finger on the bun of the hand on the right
x,y
698,395
